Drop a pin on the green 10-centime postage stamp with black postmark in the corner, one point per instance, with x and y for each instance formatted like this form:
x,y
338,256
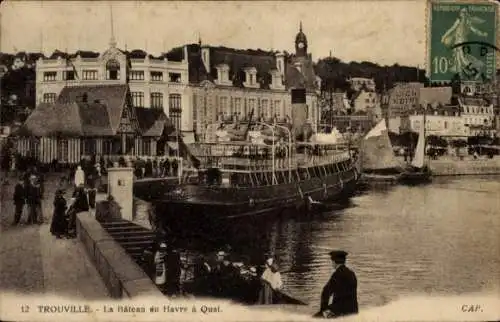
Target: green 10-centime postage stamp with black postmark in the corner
x,y
462,40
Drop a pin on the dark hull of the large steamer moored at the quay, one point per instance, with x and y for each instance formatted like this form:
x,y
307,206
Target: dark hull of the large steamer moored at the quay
x,y
206,204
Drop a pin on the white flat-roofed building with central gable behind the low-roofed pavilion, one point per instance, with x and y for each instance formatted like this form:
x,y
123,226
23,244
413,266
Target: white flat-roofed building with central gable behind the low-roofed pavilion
x,y
154,82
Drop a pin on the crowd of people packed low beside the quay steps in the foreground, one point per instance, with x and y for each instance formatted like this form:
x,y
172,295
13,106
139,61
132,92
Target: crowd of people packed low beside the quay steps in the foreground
x,y
213,275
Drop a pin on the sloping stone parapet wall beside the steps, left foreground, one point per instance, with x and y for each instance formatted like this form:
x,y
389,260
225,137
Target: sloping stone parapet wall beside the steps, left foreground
x,y
121,275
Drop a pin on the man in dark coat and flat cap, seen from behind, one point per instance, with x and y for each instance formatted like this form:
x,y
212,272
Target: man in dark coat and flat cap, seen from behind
x,y
342,286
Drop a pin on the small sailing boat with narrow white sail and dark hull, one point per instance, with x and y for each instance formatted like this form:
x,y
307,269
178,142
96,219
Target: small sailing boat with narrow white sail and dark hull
x,y
418,171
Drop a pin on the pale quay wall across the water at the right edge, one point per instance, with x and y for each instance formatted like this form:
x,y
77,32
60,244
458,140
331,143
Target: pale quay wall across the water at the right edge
x,y
454,167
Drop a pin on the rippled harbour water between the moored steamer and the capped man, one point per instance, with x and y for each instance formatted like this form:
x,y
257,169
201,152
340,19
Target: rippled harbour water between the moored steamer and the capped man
x,y
440,239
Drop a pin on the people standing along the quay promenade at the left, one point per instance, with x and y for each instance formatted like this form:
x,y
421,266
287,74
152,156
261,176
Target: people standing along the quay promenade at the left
x,y
29,190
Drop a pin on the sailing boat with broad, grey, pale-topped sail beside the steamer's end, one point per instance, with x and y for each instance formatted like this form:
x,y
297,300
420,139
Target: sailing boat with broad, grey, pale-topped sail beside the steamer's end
x,y
378,162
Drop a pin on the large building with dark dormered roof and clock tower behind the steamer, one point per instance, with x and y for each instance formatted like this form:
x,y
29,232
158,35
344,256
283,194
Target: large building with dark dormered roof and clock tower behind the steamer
x,y
228,84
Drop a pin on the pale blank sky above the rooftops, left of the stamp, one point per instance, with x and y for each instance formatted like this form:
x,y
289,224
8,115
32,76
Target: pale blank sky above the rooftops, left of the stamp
x,y
384,32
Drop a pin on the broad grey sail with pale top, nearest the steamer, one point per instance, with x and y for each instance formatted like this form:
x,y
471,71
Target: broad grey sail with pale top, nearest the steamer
x,y
377,152
